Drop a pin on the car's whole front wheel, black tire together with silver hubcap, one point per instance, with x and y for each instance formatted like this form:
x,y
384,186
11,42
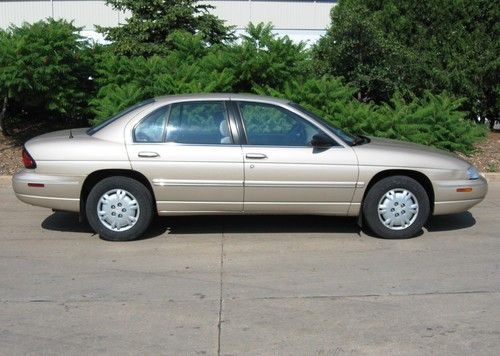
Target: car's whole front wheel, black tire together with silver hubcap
x,y
388,200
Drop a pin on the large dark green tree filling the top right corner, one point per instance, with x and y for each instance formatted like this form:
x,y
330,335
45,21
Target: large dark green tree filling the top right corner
x,y
407,46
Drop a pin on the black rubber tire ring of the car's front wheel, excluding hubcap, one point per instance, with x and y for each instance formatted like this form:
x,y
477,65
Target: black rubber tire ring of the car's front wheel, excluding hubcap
x,y
372,198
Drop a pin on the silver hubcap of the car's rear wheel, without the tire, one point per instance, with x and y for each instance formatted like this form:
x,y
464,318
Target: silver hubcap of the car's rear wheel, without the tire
x,y
118,210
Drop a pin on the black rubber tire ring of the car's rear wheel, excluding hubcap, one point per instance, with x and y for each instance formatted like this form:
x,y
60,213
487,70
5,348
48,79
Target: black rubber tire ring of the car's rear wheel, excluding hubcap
x,y
141,194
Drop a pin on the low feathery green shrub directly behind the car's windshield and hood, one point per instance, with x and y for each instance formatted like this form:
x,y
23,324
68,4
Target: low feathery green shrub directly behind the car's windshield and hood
x,y
432,120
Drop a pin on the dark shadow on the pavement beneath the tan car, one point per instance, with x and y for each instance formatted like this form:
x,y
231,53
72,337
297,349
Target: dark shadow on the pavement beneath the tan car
x,y
253,224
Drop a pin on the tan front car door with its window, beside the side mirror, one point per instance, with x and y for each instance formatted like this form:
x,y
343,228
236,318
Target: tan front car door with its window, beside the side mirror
x,y
284,173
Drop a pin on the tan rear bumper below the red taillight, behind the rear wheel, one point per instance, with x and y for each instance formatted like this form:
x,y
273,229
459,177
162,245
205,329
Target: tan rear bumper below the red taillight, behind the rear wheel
x,y
56,192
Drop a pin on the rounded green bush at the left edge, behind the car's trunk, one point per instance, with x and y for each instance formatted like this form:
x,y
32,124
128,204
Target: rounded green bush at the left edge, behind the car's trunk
x,y
44,70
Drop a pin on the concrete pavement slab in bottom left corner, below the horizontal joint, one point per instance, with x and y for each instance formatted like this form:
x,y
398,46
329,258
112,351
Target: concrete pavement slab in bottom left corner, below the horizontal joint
x,y
108,328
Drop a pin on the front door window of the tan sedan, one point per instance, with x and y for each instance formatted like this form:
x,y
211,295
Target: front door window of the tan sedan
x,y
267,124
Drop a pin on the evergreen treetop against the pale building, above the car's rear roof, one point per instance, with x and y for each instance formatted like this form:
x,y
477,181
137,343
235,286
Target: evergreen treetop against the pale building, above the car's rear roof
x,y
147,30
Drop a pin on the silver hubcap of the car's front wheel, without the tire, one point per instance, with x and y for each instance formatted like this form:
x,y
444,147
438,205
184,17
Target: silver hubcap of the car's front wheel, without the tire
x,y
398,209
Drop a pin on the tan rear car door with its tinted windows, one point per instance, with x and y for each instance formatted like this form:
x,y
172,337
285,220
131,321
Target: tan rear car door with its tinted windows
x,y
187,151
